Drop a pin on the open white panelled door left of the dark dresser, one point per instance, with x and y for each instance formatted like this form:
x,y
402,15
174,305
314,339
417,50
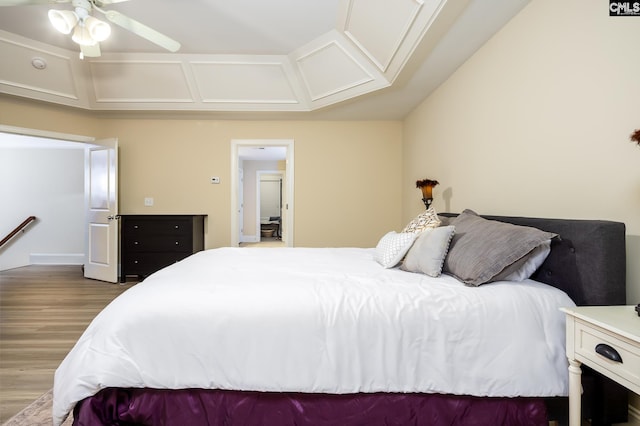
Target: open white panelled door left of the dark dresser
x,y
101,197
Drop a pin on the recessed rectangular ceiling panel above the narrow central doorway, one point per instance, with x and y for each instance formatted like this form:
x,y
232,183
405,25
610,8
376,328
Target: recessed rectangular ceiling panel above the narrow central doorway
x,y
251,82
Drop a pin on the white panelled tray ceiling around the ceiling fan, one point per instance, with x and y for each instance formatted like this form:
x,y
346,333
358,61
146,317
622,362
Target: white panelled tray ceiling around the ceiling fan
x,y
334,59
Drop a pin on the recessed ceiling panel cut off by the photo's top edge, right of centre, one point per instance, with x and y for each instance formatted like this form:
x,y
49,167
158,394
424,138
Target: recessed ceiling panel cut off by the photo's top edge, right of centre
x,y
379,27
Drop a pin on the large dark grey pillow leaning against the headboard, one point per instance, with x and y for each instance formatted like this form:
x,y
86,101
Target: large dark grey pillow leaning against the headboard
x,y
482,248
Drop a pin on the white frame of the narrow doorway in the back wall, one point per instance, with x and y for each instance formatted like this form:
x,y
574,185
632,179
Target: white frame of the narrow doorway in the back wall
x,y
289,176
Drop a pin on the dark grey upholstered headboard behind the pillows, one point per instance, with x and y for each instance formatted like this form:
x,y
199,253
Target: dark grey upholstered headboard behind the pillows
x,y
587,261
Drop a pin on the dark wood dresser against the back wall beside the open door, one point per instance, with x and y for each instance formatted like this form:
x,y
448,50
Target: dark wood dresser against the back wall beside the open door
x,y
151,242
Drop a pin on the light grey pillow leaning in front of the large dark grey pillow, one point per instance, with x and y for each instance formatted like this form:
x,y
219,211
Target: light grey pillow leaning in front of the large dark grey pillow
x,y
429,251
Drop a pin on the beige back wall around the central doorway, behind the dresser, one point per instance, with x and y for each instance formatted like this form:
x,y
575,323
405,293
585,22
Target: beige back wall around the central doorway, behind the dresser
x,y
347,174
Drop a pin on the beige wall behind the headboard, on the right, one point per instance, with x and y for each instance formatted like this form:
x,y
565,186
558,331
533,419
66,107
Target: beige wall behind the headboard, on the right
x,y
537,123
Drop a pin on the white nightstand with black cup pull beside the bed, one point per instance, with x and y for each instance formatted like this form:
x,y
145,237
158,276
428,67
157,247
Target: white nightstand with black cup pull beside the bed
x,y
607,339
